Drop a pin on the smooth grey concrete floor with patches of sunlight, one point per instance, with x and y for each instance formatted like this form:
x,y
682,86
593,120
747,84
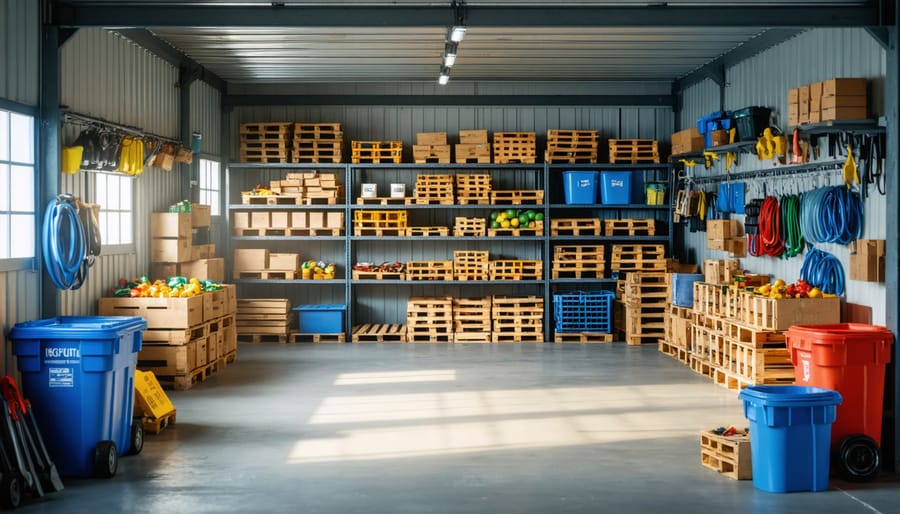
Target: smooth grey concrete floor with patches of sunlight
x,y
446,429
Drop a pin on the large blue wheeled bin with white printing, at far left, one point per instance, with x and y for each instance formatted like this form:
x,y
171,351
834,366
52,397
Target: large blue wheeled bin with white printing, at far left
x,y
78,373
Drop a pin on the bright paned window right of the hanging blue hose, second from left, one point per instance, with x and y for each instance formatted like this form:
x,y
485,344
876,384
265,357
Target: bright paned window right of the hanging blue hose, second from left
x,y
114,194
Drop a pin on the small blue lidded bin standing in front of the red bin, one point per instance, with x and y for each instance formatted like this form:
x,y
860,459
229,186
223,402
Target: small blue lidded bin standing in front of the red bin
x,y
790,436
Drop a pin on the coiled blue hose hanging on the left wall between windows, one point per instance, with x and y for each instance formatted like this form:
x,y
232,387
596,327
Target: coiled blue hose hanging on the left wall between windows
x,y
63,243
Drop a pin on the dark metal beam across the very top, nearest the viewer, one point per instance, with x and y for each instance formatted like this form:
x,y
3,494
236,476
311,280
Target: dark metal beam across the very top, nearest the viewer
x,y
199,16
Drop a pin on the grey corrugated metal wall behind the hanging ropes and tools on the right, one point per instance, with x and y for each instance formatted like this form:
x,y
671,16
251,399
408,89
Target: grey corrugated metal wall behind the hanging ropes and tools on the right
x,y
764,80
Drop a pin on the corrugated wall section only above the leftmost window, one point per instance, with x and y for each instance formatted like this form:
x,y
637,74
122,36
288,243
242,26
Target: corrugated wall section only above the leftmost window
x,y
19,50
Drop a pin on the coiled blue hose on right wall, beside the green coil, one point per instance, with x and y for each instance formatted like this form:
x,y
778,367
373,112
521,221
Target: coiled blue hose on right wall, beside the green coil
x,y
831,214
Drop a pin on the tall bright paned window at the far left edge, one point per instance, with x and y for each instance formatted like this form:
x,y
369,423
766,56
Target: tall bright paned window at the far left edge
x,y
17,186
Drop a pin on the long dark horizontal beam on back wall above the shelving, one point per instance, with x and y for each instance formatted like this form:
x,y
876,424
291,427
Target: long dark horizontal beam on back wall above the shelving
x,y
428,100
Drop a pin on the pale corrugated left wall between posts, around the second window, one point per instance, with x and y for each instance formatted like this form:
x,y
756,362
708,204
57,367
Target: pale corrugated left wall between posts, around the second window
x,y
109,77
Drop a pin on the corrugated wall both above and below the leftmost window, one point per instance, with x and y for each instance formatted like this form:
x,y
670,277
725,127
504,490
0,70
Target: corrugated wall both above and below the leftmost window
x,y
19,81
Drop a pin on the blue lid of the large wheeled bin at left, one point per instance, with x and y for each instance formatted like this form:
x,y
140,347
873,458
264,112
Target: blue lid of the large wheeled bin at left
x,y
78,327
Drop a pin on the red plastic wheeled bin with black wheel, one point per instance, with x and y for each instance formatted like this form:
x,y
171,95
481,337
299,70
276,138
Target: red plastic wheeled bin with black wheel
x,y
849,358
